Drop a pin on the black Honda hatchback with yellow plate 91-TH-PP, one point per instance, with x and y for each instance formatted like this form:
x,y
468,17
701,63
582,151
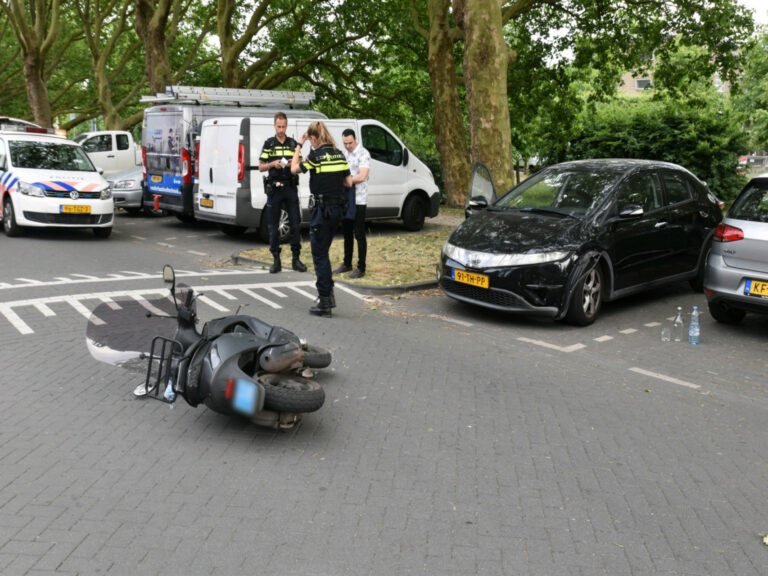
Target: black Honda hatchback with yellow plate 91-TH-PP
x,y
577,234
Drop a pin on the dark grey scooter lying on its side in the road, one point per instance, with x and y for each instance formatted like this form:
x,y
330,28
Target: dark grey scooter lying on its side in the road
x,y
237,365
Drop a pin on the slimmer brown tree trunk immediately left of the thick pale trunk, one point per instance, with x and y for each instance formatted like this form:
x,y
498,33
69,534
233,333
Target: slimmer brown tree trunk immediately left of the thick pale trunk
x,y
450,132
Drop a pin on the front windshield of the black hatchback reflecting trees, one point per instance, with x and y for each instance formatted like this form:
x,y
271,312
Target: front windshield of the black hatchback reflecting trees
x,y
569,190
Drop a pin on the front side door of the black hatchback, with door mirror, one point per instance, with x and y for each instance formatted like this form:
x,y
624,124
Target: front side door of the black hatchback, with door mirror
x,y
640,244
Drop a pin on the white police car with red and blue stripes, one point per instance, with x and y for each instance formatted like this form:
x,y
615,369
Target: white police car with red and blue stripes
x,y
49,181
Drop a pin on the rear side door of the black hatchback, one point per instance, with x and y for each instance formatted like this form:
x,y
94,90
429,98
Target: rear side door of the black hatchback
x,y
684,224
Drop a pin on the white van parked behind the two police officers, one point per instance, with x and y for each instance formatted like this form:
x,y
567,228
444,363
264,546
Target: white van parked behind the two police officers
x,y
230,188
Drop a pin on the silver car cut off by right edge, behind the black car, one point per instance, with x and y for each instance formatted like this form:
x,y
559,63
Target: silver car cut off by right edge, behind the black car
x,y
736,280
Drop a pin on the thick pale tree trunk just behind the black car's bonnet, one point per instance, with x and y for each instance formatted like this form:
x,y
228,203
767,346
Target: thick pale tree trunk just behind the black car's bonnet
x,y
486,58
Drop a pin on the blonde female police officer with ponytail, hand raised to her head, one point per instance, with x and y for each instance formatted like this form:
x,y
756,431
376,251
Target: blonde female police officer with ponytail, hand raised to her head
x,y
329,174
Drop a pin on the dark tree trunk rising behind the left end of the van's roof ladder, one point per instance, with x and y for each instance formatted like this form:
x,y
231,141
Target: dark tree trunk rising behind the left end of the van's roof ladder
x,y
151,21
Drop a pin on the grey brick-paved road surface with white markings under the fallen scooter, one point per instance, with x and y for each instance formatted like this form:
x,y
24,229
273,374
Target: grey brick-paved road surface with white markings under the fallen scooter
x,y
453,440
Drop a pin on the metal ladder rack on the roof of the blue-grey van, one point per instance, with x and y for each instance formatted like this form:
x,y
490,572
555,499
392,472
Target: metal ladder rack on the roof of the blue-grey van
x,y
236,96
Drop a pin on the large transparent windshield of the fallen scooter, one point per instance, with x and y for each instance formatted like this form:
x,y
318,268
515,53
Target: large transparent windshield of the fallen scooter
x,y
120,332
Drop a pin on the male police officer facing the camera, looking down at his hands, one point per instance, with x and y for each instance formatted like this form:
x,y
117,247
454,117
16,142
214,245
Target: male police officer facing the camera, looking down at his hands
x,y
281,186
